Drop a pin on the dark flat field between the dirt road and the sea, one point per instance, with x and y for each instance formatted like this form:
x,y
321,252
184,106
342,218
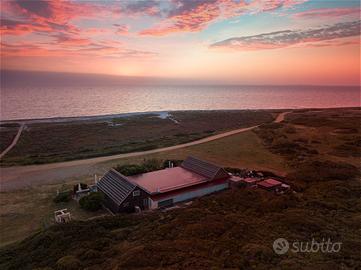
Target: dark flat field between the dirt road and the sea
x,y
53,142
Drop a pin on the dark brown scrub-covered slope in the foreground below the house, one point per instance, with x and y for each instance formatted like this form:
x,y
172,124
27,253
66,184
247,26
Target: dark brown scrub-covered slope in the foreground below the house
x,y
232,229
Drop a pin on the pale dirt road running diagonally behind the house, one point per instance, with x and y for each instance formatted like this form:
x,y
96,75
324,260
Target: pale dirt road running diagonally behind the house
x,y
17,177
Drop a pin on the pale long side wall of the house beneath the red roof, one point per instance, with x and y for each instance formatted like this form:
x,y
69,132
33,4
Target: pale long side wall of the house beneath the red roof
x,y
190,194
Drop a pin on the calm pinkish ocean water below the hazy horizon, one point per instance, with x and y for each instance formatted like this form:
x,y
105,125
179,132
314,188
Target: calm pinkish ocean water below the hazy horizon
x,y
47,102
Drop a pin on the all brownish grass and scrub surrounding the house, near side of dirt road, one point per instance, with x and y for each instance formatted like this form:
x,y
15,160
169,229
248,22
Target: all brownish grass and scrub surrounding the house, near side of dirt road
x,y
317,150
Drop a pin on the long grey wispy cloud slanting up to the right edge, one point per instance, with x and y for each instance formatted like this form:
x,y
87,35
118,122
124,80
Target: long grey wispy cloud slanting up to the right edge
x,y
287,38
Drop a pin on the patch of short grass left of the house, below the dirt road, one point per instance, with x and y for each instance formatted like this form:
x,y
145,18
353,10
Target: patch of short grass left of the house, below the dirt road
x,y
25,212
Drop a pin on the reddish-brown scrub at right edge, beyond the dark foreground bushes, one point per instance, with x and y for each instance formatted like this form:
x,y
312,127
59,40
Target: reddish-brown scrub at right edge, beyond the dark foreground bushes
x,y
311,135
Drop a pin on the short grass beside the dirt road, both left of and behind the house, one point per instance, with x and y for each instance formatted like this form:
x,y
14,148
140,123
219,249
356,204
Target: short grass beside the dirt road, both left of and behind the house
x,y
23,212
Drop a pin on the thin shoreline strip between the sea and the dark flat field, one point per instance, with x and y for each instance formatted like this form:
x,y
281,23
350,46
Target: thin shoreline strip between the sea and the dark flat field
x,y
161,114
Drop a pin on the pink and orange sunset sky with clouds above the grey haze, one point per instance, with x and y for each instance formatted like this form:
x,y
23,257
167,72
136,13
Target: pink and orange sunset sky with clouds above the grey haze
x,y
230,41
